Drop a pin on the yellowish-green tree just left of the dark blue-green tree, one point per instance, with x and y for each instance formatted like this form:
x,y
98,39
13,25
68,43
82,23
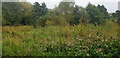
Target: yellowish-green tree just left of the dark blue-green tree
x,y
26,15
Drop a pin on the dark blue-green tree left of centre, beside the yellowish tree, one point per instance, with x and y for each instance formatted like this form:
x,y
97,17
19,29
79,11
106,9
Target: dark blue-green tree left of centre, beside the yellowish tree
x,y
38,12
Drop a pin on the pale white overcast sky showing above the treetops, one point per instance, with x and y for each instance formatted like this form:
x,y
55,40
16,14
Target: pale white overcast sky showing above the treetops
x,y
111,5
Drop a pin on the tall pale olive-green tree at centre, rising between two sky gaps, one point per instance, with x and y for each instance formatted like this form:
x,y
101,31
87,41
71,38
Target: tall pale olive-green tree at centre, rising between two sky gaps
x,y
65,9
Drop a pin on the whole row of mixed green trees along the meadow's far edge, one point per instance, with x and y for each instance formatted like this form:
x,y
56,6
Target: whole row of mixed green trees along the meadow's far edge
x,y
66,13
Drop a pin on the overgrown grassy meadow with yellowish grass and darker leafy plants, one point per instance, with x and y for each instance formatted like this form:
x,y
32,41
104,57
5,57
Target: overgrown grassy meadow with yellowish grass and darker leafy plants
x,y
80,40
